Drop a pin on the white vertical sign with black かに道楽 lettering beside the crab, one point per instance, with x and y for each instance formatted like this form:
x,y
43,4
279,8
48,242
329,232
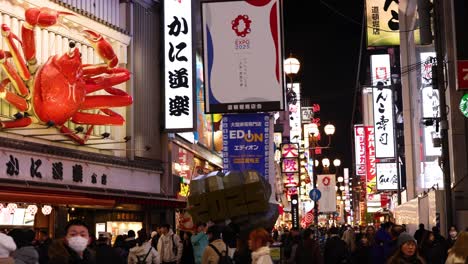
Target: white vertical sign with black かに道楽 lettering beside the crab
x,y
179,67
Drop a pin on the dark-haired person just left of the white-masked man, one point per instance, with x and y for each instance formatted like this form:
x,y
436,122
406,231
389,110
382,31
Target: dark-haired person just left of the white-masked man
x,y
25,252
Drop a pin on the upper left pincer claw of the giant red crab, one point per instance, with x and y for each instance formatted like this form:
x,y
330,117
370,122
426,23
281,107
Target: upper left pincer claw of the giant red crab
x,y
44,16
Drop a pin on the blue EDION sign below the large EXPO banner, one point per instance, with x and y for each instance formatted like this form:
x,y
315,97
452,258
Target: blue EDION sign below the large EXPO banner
x,y
245,143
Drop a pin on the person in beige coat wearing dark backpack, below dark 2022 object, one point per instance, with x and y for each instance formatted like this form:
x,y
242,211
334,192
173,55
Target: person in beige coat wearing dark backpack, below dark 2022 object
x,y
217,251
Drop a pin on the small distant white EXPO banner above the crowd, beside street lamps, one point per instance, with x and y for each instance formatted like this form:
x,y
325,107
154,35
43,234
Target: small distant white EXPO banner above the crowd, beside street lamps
x,y
326,184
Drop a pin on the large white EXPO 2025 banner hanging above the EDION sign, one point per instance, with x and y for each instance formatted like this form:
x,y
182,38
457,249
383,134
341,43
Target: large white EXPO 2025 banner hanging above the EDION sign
x,y
242,54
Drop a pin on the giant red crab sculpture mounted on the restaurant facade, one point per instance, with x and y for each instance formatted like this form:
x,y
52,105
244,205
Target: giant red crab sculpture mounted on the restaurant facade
x,y
59,90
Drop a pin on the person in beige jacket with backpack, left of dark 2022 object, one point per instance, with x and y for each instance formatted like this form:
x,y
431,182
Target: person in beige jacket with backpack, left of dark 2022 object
x,y
169,246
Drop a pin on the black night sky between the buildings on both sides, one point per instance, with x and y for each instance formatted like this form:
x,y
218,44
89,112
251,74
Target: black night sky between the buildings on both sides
x,y
327,45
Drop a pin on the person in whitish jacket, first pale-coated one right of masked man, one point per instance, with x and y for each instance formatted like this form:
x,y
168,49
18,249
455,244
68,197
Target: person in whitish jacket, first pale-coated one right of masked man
x,y
143,252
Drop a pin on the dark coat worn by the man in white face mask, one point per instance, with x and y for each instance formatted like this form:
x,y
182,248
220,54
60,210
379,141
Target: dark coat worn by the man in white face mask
x,y
59,253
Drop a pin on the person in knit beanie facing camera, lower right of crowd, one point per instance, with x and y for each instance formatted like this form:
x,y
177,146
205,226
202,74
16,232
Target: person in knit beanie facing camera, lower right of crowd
x,y
407,252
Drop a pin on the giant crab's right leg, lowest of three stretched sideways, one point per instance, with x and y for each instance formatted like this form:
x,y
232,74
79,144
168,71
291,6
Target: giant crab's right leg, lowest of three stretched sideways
x,y
109,118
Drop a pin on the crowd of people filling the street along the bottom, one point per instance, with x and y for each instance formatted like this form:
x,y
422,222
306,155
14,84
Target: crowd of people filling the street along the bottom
x,y
212,244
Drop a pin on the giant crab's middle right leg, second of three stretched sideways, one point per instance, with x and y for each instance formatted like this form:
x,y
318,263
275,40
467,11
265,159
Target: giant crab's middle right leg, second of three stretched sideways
x,y
116,99
